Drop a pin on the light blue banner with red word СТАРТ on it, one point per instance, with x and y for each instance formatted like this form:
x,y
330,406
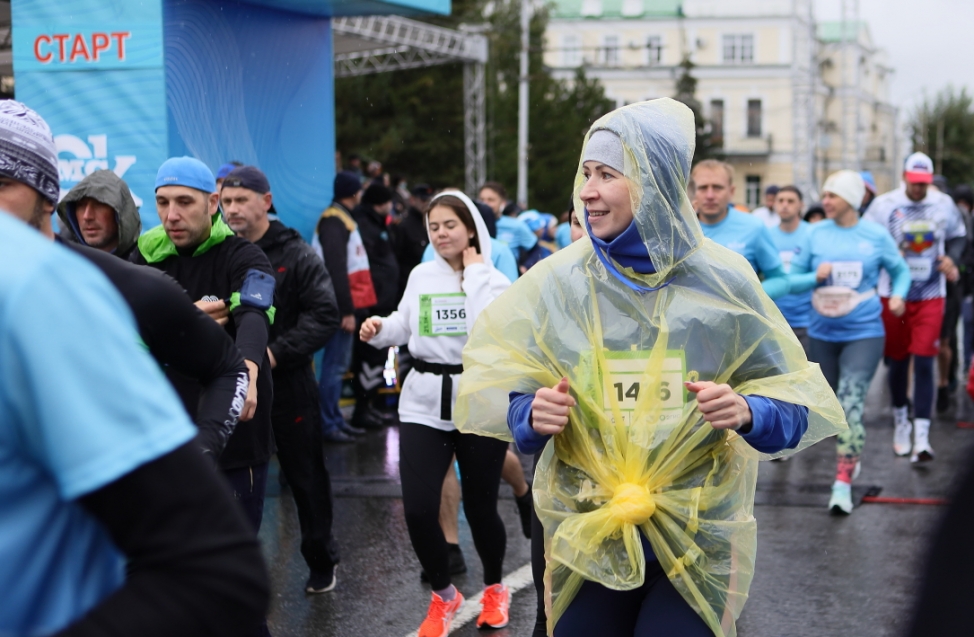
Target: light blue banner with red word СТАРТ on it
x,y
112,119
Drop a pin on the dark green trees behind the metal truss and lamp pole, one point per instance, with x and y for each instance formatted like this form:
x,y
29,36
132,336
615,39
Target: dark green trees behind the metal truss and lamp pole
x,y
412,120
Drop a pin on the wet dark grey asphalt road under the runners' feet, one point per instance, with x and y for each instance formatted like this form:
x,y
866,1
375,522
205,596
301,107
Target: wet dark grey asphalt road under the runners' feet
x,y
816,575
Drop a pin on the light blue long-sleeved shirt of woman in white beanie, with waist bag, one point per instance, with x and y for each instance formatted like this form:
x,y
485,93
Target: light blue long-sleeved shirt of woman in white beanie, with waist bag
x,y
857,255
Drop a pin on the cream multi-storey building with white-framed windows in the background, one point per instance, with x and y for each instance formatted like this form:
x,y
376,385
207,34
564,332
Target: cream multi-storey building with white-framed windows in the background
x,y
769,78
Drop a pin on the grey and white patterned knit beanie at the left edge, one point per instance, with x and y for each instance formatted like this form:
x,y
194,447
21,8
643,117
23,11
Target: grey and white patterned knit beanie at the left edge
x,y
27,151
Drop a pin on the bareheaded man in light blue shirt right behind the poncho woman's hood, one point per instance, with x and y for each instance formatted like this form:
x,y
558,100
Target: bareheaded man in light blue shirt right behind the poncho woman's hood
x,y
739,231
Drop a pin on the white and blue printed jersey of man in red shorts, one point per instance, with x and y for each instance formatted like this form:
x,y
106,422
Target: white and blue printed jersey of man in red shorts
x,y
920,229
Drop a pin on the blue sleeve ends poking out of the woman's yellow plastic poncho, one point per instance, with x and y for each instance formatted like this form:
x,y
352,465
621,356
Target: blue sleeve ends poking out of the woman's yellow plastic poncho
x,y
775,424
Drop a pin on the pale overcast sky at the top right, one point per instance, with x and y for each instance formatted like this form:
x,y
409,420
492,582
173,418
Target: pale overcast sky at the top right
x,y
930,43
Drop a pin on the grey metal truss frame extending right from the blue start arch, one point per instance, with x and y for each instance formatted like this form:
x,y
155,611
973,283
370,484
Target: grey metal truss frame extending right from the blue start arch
x,y
377,44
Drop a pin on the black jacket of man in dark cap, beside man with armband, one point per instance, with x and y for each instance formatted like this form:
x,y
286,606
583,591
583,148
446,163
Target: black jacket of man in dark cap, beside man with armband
x,y
307,313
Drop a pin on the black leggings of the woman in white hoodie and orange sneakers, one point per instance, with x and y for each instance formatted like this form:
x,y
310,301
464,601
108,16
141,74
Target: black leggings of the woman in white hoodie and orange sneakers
x,y
425,454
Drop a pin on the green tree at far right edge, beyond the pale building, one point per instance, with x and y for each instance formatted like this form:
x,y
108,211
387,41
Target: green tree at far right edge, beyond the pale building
x,y
943,127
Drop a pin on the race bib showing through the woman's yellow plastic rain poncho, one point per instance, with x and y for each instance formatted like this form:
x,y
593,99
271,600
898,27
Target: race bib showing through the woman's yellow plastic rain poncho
x,y
625,380
